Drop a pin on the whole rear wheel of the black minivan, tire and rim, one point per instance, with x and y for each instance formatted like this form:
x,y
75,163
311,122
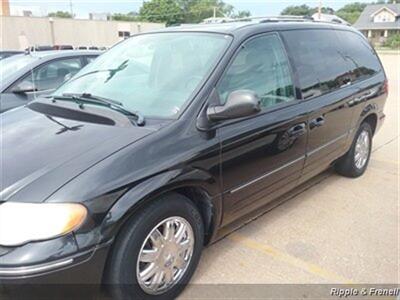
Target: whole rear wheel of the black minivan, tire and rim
x,y
349,165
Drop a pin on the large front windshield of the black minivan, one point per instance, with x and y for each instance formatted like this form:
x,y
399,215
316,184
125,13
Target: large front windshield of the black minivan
x,y
154,74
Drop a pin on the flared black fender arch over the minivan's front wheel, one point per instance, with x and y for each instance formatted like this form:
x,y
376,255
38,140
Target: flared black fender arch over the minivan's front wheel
x,y
129,200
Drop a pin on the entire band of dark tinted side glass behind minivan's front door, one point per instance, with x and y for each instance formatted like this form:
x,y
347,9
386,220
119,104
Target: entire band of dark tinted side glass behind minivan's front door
x,y
326,60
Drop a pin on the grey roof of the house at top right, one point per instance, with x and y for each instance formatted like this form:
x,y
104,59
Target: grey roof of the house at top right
x,y
365,21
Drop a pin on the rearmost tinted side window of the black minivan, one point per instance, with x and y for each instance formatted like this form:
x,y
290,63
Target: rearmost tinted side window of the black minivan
x,y
359,55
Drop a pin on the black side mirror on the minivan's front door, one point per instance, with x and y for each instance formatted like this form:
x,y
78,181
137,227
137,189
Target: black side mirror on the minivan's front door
x,y
239,104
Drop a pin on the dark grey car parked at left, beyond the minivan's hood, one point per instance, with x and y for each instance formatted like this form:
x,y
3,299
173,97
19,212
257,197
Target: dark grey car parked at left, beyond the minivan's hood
x,y
25,77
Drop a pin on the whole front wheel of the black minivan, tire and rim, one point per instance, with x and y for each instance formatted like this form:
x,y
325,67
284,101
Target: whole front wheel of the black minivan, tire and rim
x,y
173,211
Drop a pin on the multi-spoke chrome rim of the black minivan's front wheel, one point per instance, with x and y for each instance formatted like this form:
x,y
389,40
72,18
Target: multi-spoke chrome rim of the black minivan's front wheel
x,y
165,255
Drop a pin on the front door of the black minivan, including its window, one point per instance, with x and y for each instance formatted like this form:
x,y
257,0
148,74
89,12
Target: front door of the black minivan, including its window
x,y
262,156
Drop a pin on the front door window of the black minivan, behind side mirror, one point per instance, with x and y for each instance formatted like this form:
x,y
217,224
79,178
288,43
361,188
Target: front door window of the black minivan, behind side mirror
x,y
260,66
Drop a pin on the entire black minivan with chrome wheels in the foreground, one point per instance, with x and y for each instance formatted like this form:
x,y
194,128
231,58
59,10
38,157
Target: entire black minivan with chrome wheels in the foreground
x,y
172,139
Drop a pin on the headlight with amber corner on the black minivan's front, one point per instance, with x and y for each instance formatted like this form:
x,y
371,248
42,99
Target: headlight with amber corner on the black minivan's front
x,y
26,222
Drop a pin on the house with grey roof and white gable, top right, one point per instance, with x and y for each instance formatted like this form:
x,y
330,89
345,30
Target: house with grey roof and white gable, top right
x,y
379,21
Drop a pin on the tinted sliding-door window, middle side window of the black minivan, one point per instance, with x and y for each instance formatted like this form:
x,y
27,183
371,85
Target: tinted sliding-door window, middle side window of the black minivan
x,y
320,66
